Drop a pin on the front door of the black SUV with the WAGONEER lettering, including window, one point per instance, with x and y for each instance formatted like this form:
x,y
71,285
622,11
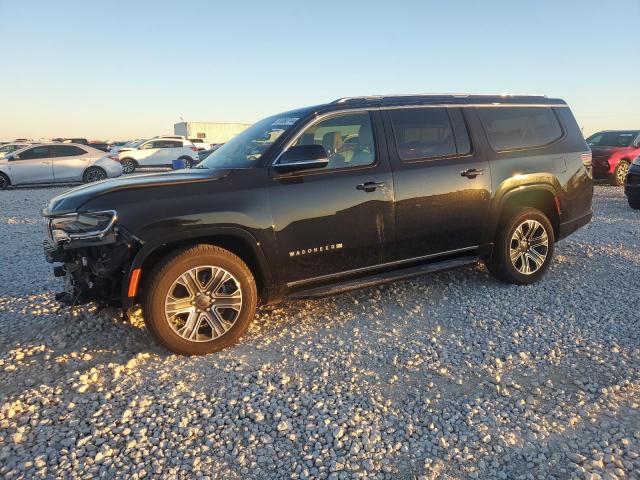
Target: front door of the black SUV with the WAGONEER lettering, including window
x,y
335,221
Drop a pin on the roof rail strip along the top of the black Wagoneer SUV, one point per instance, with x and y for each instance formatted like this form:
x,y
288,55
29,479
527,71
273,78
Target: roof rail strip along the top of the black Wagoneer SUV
x,y
458,98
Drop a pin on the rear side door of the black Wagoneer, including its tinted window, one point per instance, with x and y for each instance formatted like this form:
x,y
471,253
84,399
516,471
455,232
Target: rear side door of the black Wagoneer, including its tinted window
x,y
442,183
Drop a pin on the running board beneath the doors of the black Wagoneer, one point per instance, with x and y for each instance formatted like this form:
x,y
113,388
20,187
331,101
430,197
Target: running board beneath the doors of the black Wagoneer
x,y
380,278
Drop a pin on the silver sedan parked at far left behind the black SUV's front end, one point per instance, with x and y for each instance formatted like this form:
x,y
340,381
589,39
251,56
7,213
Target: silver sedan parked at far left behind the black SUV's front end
x,y
56,162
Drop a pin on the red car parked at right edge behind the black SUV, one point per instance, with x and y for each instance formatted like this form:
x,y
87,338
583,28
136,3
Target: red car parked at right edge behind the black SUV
x,y
613,151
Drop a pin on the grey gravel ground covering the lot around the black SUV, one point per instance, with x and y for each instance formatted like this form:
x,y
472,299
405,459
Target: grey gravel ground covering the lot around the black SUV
x,y
451,375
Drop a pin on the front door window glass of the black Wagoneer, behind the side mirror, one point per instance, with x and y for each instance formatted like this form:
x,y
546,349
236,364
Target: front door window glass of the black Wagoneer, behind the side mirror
x,y
347,139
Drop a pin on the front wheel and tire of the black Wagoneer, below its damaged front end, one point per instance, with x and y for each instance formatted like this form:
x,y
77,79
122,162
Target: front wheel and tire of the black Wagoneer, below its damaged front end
x,y
199,300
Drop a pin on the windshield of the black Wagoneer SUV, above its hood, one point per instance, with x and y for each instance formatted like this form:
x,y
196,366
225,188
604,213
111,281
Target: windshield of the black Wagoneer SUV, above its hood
x,y
245,149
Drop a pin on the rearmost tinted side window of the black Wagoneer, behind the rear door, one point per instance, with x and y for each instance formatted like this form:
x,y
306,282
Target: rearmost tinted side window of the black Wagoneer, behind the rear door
x,y
510,128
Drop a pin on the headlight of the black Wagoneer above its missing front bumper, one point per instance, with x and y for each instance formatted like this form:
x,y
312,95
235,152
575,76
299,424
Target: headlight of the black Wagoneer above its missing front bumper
x,y
82,225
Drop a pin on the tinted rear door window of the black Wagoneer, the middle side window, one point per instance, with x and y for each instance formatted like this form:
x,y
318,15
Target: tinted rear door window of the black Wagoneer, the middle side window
x,y
423,133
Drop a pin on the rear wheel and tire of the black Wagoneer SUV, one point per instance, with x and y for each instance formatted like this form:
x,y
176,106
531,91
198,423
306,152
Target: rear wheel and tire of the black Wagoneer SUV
x,y
523,248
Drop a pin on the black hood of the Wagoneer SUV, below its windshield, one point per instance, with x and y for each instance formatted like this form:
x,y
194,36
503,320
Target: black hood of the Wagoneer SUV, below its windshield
x,y
72,200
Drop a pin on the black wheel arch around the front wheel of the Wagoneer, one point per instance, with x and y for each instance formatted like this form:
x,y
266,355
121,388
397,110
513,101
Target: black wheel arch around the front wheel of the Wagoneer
x,y
236,240
